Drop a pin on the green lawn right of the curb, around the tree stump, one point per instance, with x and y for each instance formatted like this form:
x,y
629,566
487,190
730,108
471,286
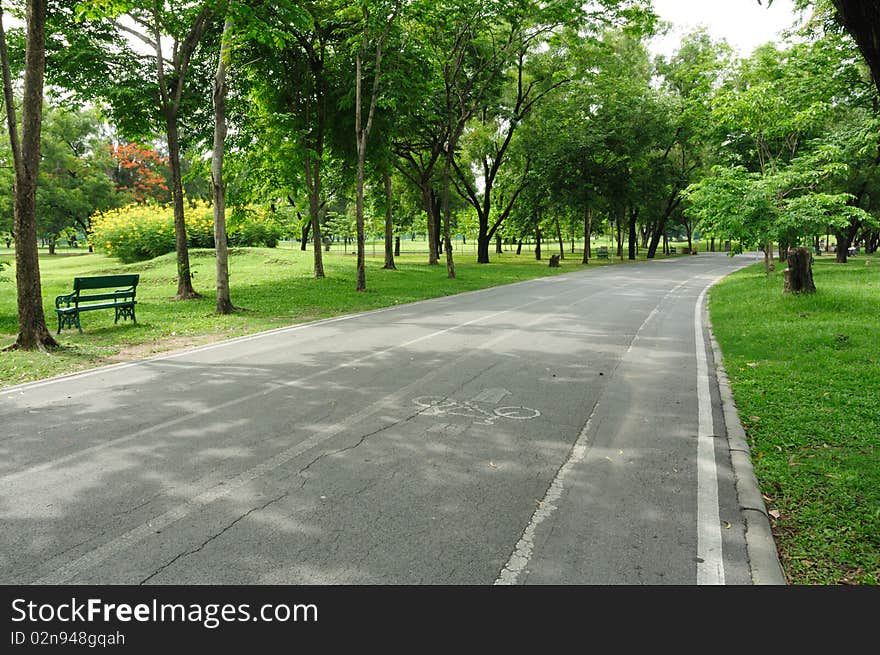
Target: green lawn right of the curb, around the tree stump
x,y
805,372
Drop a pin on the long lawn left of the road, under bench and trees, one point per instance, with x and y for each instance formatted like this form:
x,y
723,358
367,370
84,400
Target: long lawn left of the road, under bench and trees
x,y
274,286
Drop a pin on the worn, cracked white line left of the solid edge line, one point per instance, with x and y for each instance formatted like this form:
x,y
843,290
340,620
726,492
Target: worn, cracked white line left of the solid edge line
x,y
522,553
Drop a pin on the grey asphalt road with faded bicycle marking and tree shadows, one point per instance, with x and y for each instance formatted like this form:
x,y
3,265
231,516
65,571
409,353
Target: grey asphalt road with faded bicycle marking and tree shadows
x,y
564,430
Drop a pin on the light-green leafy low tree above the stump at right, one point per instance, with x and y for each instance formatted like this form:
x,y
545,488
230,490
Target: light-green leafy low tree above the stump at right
x,y
787,119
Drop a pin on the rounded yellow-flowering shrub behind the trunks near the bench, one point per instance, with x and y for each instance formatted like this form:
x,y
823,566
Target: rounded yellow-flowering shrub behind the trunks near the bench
x,y
139,232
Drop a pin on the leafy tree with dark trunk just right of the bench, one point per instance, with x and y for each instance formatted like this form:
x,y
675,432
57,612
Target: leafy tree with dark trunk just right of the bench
x,y
161,91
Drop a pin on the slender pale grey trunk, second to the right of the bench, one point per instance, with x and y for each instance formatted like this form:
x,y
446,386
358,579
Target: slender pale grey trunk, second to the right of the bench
x,y
224,302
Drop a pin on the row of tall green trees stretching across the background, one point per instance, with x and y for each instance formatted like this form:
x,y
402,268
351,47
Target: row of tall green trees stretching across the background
x,y
526,118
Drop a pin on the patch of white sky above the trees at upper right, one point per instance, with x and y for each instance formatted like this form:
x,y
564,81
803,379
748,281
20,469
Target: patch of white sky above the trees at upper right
x,y
743,23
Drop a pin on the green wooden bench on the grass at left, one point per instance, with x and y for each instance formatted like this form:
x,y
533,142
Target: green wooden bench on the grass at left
x,y
89,293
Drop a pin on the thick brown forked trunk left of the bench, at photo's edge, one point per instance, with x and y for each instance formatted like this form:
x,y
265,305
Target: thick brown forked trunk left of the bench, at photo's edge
x,y
32,331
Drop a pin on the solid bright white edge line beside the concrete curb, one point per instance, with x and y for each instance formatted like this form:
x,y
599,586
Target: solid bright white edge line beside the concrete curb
x,y
710,562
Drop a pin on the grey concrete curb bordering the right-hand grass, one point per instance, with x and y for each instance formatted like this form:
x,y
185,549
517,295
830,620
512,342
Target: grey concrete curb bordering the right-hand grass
x,y
763,557
